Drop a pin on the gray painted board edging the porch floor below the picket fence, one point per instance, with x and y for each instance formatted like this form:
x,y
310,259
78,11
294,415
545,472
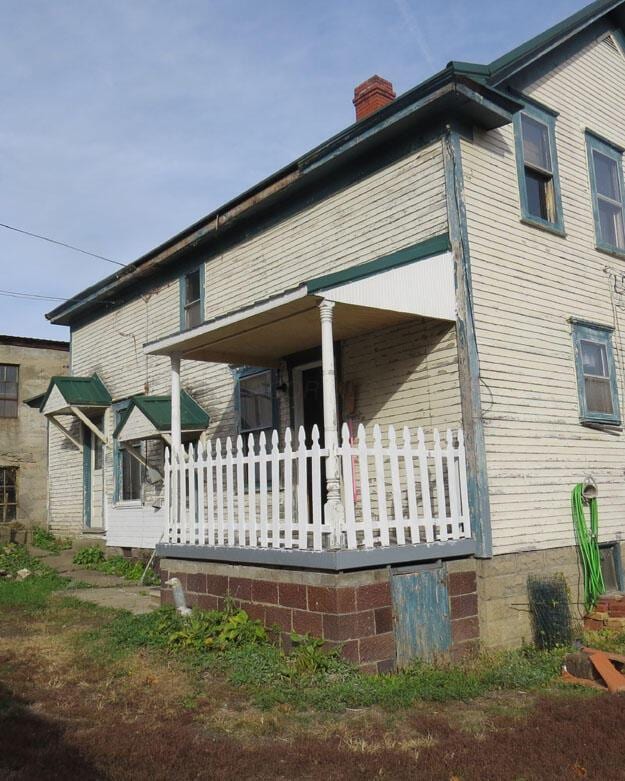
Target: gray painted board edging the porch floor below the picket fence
x,y
333,561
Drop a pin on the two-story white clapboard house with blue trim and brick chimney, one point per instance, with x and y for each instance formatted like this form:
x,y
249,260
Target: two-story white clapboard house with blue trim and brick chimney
x,y
260,396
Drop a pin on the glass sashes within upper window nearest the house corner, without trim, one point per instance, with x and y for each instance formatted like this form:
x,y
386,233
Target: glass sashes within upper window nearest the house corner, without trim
x,y
539,185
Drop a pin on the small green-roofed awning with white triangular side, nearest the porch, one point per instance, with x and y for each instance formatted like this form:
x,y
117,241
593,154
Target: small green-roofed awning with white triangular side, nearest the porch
x,y
149,417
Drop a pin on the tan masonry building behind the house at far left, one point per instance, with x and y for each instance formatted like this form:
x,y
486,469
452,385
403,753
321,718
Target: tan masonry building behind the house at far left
x,y
25,368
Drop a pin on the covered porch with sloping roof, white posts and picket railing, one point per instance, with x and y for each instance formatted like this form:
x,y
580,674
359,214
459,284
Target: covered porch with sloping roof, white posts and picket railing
x,y
330,495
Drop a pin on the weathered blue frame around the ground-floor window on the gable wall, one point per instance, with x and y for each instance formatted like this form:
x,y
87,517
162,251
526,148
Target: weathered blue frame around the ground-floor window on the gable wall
x,y
582,330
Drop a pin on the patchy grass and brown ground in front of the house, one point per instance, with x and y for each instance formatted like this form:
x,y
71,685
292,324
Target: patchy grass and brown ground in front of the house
x,y
88,693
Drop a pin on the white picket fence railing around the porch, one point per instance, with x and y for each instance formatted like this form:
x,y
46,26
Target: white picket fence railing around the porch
x,y
267,495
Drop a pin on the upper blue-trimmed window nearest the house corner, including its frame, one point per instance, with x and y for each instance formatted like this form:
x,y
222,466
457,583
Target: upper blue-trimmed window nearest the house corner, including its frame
x,y
537,168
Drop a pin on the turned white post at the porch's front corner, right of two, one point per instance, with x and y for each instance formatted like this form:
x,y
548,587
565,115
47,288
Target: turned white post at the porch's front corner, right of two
x,y
334,511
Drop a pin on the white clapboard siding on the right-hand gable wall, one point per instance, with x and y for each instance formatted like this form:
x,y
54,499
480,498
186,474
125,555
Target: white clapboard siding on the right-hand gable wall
x,y
526,284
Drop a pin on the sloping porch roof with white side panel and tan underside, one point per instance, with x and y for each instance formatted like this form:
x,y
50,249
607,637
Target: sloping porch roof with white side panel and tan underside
x,y
416,281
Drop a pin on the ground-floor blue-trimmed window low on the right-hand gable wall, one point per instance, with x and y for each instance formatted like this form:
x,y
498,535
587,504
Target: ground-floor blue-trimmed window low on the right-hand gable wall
x,y
596,373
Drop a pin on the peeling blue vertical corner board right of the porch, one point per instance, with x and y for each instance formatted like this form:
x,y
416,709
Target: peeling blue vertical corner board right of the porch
x,y
468,356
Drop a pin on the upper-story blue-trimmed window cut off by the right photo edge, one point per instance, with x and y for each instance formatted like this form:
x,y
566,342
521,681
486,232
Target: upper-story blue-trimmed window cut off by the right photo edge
x,y
605,164
